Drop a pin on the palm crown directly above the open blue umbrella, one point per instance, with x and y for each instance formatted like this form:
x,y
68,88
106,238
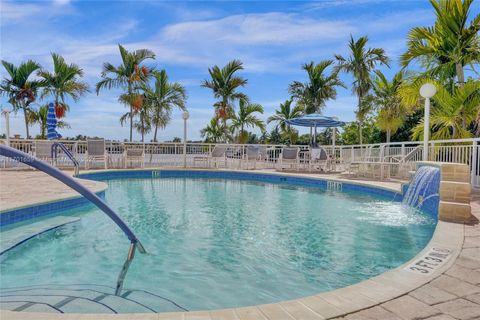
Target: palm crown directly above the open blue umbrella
x,y
320,87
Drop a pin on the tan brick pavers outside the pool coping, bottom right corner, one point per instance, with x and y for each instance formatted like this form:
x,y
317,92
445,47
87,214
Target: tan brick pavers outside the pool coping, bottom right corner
x,y
453,295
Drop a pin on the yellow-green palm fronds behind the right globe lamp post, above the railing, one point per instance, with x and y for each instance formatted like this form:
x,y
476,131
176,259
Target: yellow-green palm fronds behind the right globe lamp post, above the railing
x,y
452,112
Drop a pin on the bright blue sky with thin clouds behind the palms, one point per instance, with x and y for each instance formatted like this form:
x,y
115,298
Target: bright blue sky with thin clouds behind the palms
x,y
273,39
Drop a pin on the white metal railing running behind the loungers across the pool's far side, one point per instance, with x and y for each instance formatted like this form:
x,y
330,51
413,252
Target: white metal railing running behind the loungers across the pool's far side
x,y
400,155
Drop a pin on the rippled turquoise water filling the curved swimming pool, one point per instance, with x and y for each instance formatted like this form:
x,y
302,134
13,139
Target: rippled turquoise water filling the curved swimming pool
x,y
223,243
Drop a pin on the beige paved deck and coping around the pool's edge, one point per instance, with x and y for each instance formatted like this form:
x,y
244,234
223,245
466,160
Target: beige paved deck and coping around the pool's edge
x,y
448,290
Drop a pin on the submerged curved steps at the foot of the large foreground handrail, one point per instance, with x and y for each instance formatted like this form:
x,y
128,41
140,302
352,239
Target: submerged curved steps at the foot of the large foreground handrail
x,y
83,299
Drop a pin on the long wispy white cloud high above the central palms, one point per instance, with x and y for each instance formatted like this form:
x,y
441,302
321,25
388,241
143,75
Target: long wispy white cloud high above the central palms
x,y
274,28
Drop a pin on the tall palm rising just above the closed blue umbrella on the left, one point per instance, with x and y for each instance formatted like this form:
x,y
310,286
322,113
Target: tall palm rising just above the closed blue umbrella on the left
x,y
63,82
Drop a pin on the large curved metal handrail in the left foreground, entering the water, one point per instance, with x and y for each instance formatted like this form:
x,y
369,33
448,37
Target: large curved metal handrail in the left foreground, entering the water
x,y
89,195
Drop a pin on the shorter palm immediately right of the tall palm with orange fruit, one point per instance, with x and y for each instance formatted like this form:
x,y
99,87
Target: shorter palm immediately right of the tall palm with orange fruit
x,y
162,98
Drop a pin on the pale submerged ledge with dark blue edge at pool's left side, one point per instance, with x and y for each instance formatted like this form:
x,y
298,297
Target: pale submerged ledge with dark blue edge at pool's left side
x,y
16,236
